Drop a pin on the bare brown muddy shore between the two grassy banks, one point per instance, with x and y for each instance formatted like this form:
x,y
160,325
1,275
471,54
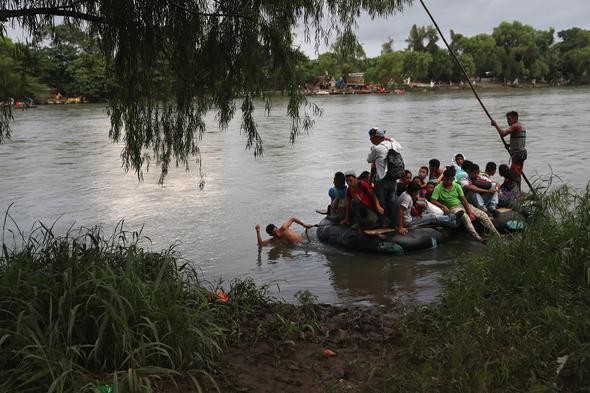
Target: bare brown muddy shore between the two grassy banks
x,y
281,351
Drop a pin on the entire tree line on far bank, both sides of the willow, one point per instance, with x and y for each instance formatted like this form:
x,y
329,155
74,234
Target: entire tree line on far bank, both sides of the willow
x,y
69,61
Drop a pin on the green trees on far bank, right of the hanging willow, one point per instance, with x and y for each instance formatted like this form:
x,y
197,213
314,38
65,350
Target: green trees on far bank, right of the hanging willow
x,y
512,51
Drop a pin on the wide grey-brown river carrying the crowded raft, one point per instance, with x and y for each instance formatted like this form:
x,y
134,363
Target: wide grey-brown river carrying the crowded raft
x,y
60,167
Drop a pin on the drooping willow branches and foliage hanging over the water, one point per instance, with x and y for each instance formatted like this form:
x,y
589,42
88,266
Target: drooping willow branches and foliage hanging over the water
x,y
172,61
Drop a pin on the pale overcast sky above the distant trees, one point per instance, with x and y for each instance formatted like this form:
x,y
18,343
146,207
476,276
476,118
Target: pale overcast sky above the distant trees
x,y
468,17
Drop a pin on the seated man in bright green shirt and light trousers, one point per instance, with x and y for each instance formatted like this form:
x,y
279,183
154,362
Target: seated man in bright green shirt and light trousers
x,y
450,198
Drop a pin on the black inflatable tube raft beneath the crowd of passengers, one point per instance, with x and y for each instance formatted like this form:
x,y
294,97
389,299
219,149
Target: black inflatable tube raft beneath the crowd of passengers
x,y
390,242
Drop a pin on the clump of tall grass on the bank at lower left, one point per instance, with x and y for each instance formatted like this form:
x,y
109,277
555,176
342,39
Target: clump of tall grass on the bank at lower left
x,y
84,309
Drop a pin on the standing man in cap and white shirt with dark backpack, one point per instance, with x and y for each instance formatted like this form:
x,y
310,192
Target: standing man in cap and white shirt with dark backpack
x,y
386,167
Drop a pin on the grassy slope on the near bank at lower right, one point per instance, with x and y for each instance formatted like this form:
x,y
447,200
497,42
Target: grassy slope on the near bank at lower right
x,y
514,319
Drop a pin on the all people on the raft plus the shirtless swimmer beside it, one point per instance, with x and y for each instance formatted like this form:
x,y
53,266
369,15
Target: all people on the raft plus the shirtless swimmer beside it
x,y
460,193
